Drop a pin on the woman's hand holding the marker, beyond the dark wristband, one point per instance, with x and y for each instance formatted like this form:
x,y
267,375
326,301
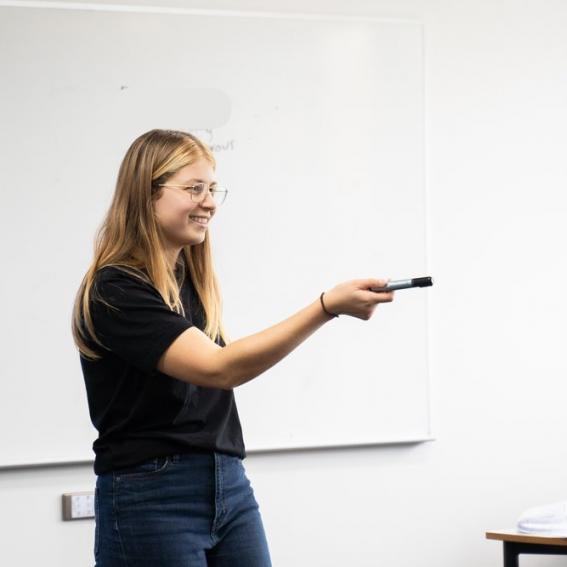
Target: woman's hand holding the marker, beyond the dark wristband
x,y
354,297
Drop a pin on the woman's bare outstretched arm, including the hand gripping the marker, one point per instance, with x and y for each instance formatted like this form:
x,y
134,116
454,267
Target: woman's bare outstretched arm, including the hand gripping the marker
x,y
193,357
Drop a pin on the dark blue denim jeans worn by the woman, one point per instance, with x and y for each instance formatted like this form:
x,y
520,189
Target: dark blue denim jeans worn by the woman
x,y
184,510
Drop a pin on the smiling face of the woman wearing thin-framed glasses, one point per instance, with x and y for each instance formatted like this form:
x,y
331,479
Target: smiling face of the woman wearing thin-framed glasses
x,y
175,207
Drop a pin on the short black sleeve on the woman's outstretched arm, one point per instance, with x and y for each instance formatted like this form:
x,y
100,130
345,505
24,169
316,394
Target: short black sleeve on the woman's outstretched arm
x,y
141,326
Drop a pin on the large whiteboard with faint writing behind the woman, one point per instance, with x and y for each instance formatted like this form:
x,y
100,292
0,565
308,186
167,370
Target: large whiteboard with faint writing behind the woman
x,y
317,125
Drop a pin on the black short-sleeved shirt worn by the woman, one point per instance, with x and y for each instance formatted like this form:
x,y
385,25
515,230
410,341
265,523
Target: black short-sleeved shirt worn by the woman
x,y
139,412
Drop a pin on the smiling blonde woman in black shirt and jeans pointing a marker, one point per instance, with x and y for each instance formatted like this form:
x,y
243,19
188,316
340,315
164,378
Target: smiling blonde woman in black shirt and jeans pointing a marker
x,y
159,369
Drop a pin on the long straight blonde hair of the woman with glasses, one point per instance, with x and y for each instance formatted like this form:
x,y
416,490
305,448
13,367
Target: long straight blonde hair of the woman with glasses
x,y
130,237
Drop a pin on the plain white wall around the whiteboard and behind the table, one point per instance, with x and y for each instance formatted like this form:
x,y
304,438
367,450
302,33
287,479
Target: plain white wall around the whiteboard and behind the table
x,y
496,146
